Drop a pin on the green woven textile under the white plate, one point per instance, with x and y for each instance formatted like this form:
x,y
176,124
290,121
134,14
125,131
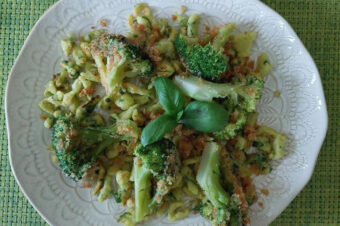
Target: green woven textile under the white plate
x,y
317,22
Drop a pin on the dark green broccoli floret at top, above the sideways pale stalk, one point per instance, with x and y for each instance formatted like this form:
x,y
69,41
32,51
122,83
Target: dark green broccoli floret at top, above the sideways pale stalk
x,y
202,61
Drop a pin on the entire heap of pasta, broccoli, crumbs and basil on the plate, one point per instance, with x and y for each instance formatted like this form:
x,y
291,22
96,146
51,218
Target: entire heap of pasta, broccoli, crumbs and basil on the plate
x,y
163,119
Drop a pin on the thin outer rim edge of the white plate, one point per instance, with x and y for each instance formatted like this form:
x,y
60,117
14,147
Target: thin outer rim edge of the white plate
x,y
309,173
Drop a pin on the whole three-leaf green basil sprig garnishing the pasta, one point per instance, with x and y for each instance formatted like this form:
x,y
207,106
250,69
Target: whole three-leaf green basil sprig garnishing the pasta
x,y
202,116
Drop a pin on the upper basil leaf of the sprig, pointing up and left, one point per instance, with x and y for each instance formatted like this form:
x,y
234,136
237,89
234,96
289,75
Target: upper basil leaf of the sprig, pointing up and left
x,y
169,95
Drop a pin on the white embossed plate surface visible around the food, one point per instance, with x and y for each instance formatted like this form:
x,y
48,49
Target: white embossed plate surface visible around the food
x,y
300,111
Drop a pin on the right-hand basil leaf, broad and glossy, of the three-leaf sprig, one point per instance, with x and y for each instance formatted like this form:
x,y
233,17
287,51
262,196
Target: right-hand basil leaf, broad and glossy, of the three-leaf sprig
x,y
205,116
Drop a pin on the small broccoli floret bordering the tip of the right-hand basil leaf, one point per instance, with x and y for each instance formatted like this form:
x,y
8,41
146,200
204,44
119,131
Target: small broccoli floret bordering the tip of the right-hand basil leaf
x,y
232,128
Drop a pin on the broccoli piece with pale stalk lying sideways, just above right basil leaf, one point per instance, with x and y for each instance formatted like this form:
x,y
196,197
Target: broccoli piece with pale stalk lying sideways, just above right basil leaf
x,y
245,93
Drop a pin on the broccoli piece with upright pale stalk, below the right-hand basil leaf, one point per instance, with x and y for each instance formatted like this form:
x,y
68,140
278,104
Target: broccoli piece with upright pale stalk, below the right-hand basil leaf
x,y
208,177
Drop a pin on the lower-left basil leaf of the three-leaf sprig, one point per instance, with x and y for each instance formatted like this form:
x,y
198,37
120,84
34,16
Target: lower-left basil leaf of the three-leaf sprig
x,y
157,128
